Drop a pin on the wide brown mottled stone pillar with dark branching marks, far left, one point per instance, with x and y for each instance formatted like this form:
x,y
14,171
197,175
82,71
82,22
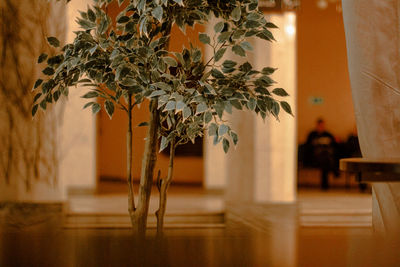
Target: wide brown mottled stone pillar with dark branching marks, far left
x,y
29,157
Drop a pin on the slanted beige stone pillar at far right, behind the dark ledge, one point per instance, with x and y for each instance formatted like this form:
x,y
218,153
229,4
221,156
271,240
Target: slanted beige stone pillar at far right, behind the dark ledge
x,y
373,46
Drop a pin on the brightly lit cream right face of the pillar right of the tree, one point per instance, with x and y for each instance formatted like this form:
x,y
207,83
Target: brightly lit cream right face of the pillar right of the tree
x,y
275,141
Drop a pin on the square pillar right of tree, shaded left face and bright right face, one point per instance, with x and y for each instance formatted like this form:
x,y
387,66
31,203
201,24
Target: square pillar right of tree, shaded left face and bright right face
x,y
262,169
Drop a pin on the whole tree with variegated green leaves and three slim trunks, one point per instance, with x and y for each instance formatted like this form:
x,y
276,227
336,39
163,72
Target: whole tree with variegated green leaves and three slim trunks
x,y
126,62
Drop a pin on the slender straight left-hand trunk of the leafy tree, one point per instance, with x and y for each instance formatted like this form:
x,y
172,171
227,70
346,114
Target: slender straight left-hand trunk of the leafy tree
x,y
131,196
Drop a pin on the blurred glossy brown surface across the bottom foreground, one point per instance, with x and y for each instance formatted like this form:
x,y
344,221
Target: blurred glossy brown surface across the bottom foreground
x,y
198,247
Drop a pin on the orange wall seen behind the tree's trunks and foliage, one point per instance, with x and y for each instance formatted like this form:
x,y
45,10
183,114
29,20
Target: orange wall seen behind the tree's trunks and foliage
x,y
111,152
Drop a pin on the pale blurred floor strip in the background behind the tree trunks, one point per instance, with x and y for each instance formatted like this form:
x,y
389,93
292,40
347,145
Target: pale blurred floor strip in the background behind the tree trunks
x,y
334,208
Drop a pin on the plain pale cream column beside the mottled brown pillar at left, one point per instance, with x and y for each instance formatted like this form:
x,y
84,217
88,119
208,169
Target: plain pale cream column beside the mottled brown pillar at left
x,y
78,156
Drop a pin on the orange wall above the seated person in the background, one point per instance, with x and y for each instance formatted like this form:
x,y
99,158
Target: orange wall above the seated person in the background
x,y
322,71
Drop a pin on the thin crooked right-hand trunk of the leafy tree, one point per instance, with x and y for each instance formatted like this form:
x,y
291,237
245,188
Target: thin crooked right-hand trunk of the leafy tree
x,y
163,188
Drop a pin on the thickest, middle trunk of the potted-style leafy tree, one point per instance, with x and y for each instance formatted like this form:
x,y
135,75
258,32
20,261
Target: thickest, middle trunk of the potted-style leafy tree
x,y
139,217
